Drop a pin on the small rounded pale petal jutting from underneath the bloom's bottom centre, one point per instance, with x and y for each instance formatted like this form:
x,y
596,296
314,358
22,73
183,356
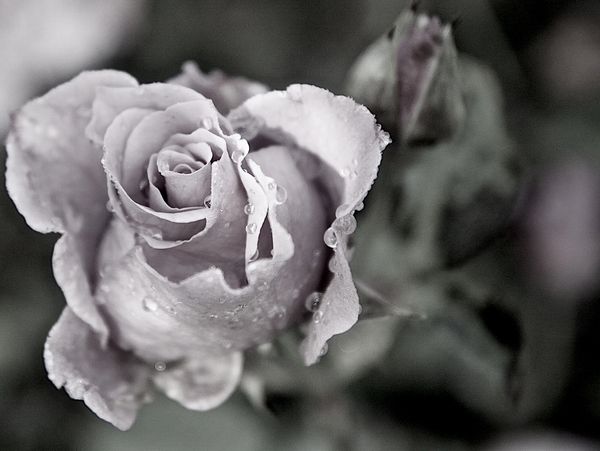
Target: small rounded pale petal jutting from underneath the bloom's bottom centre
x,y
202,382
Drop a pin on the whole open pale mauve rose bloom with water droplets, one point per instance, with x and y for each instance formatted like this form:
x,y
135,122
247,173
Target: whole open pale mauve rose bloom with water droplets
x,y
189,236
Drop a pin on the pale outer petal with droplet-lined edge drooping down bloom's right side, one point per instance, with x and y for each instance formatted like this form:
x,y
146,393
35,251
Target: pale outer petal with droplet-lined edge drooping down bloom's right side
x,y
343,135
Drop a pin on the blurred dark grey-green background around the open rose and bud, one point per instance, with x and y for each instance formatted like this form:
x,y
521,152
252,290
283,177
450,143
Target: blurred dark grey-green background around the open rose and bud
x,y
505,353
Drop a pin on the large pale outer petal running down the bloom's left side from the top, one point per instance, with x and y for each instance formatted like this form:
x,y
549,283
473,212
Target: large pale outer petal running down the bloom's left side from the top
x,y
55,179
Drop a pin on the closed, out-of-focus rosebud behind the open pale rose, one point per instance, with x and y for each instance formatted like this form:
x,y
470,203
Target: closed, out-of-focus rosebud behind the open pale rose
x,y
409,78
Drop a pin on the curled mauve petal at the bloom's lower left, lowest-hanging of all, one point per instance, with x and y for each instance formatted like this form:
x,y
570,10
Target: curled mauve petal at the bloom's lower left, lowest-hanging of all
x,y
110,382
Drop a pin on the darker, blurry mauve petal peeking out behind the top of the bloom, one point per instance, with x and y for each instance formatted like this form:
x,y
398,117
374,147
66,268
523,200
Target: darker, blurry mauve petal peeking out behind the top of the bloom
x,y
226,92
